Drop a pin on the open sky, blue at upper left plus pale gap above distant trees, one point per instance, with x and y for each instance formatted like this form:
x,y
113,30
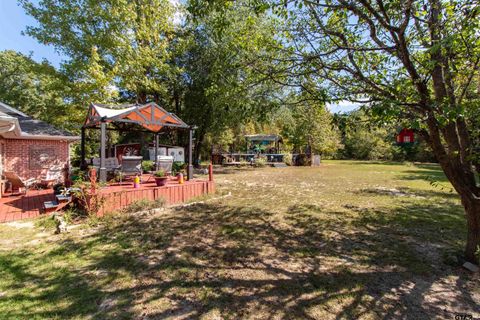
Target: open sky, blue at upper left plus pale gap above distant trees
x,y
14,20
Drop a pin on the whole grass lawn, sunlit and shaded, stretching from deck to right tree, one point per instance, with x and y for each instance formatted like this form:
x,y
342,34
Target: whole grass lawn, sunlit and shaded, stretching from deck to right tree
x,y
347,240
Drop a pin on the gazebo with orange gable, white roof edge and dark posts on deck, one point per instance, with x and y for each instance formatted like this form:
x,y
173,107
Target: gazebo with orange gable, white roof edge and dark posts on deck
x,y
150,116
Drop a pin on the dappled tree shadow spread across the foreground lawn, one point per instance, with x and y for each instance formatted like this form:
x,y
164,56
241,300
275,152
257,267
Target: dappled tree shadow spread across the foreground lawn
x,y
235,262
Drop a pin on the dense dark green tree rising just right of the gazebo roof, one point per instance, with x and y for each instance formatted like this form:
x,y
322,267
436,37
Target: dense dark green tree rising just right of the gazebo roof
x,y
223,88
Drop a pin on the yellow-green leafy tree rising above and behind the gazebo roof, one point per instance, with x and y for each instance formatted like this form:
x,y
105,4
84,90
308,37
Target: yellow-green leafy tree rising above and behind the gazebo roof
x,y
129,41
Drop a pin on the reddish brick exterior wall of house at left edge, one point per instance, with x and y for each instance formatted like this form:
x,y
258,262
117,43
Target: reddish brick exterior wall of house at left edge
x,y
22,155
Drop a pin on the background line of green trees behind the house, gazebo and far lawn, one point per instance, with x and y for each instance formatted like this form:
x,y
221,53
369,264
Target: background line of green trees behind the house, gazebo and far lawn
x,y
211,68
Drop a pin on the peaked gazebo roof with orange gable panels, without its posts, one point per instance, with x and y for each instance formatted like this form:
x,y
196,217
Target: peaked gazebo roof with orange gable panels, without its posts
x,y
150,116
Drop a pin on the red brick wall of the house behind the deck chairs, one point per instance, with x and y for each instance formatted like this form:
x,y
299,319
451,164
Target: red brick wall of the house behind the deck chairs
x,y
17,156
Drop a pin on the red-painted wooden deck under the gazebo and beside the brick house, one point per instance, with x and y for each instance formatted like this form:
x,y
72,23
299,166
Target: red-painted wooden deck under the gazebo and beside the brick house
x,y
18,207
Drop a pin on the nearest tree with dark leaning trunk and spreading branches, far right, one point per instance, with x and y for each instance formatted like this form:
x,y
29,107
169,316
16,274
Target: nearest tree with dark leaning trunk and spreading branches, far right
x,y
413,61
